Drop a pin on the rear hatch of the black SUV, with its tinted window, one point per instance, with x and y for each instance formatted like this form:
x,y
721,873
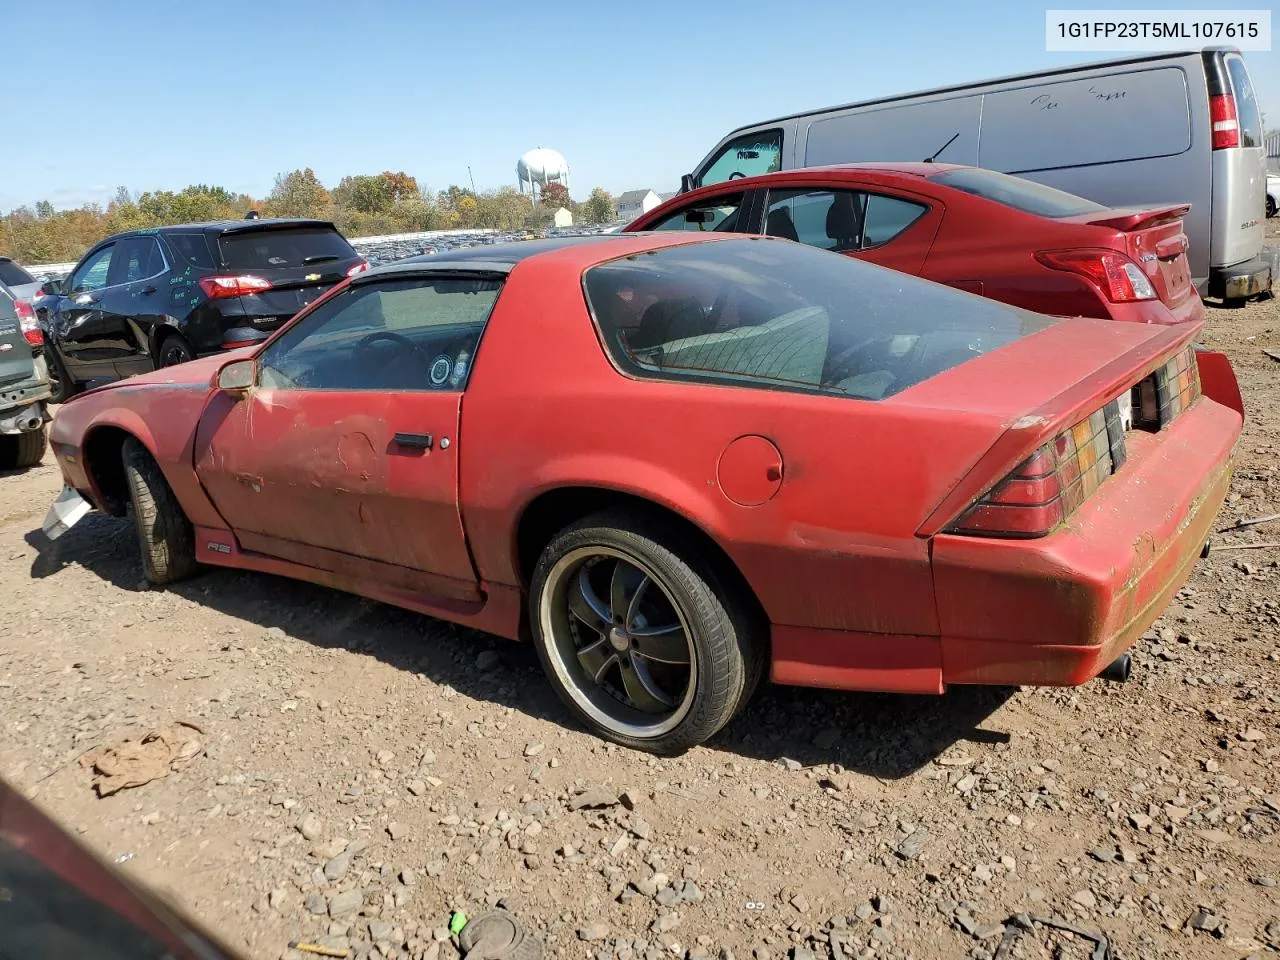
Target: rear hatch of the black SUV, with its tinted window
x,y
300,264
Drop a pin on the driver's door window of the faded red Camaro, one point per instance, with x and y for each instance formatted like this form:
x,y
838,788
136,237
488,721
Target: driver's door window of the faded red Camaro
x,y
410,335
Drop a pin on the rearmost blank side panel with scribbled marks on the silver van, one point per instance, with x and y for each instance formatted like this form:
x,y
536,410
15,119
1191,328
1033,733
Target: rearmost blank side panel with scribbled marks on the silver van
x,y
1100,120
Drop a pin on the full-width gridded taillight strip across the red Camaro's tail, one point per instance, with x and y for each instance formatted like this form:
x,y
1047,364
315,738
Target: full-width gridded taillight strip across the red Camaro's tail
x,y
1055,481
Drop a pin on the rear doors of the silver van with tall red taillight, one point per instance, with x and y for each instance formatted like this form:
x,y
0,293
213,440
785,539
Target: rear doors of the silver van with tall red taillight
x,y
1240,161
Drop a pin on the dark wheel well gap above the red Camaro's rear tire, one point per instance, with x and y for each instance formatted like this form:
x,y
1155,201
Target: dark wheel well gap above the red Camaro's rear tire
x,y
555,510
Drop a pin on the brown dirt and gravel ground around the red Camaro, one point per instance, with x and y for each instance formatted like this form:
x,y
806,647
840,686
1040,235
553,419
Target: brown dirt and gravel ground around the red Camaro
x,y
365,772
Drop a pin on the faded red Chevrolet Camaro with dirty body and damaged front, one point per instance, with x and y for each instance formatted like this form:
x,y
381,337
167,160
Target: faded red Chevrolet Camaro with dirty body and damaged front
x,y
678,461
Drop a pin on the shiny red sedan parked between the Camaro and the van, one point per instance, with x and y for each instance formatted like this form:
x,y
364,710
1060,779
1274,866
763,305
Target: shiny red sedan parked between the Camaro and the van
x,y
980,231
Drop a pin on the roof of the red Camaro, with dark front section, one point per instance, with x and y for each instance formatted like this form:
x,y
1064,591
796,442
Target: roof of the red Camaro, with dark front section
x,y
504,258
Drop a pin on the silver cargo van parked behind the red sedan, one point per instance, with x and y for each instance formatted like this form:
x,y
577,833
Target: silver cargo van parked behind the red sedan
x,y
1164,129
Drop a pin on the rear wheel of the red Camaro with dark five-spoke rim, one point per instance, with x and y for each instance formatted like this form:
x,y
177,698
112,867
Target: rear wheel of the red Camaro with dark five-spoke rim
x,y
638,637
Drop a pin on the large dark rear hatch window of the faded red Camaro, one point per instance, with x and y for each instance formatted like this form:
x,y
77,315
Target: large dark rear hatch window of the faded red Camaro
x,y
778,316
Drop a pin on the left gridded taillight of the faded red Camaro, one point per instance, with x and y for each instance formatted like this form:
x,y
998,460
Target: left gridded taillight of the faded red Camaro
x,y
1049,486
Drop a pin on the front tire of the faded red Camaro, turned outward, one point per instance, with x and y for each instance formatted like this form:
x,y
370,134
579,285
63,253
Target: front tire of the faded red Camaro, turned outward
x,y
166,536
